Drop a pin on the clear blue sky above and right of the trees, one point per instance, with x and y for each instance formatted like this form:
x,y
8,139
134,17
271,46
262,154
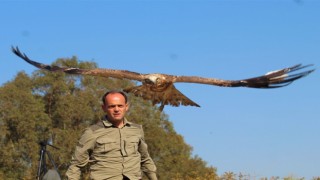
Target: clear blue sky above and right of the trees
x,y
258,132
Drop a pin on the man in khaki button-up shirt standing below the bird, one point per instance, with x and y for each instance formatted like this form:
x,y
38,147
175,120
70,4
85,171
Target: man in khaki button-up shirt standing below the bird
x,y
114,147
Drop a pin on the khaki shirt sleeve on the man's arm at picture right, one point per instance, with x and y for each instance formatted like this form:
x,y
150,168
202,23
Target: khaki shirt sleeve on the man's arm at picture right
x,y
147,164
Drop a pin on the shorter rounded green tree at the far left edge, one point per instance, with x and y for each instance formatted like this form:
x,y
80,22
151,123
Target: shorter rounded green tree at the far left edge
x,y
24,124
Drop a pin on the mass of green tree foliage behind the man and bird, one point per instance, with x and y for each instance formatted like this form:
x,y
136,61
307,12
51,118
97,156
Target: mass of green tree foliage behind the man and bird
x,y
60,106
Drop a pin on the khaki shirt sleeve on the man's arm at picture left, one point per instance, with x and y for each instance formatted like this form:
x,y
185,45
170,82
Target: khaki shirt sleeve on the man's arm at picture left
x,y
81,155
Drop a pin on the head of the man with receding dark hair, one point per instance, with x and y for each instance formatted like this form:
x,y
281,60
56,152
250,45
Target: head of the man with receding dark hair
x,y
115,107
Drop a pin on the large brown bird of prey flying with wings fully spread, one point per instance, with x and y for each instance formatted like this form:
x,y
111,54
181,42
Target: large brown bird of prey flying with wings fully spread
x,y
160,89
